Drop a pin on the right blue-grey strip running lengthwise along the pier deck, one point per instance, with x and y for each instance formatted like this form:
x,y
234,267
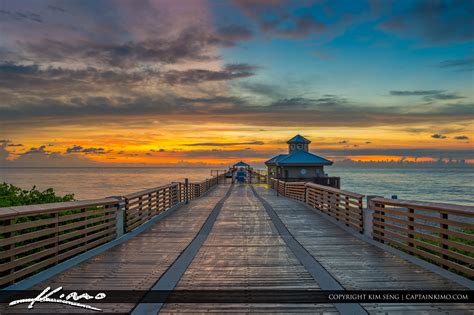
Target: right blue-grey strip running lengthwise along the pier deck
x,y
325,280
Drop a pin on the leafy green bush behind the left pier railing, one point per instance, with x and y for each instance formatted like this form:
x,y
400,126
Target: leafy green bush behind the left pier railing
x,y
11,195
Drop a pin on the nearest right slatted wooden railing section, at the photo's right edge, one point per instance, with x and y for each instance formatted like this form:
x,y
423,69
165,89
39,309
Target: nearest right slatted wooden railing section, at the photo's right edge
x,y
437,232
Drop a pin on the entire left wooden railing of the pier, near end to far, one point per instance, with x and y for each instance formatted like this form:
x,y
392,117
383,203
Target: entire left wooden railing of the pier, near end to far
x,y
36,237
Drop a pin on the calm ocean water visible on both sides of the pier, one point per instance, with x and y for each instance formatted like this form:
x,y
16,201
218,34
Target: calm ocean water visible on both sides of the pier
x,y
449,184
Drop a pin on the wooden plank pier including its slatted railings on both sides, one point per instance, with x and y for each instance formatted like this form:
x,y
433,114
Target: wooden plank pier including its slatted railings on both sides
x,y
221,236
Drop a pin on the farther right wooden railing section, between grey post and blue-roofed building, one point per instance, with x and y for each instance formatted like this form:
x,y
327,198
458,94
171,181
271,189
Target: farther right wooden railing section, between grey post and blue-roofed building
x,y
344,206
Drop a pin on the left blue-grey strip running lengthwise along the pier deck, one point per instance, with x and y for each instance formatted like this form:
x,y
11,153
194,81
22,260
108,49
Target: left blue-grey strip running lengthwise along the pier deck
x,y
171,277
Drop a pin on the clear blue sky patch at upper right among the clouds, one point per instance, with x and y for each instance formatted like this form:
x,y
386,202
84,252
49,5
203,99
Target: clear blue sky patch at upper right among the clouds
x,y
361,57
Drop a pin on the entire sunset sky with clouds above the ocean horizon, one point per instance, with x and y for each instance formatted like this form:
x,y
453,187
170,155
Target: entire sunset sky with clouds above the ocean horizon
x,y
163,82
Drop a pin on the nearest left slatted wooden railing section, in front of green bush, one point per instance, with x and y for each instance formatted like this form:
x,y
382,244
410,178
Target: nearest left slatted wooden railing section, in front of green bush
x,y
36,237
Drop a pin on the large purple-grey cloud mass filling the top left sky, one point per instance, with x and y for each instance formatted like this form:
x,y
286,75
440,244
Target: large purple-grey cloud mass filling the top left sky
x,y
147,33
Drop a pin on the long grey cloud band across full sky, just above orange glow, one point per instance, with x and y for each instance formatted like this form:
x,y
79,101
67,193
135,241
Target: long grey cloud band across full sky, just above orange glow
x,y
298,111
